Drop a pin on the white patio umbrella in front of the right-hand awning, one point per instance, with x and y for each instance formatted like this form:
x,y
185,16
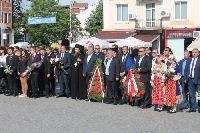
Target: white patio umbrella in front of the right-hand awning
x,y
131,42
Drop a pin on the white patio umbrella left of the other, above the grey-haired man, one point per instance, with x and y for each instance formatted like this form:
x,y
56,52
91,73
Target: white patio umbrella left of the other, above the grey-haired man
x,y
94,41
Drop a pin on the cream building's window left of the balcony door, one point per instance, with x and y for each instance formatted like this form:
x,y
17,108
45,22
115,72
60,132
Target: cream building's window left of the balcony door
x,y
122,13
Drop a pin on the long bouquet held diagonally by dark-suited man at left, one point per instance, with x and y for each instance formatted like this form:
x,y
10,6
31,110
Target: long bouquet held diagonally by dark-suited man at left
x,y
28,70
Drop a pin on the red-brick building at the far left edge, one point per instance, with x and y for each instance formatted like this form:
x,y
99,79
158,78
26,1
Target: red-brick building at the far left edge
x,y
6,22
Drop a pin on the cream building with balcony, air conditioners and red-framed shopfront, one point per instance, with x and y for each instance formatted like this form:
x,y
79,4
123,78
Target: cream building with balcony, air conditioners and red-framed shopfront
x,y
161,22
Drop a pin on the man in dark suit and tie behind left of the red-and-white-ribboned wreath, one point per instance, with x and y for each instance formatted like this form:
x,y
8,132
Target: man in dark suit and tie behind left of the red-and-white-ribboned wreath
x,y
123,57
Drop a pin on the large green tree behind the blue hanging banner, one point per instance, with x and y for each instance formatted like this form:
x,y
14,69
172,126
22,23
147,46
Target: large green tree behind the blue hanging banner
x,y
48,33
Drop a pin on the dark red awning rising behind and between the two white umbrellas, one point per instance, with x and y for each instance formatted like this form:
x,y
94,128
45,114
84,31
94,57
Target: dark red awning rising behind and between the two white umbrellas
x,y
114,35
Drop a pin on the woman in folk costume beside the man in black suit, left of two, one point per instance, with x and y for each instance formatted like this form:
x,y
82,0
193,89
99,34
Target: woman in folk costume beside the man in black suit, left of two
x,y
158,82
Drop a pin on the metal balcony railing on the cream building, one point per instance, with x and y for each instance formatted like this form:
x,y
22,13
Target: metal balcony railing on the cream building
x,y
148,24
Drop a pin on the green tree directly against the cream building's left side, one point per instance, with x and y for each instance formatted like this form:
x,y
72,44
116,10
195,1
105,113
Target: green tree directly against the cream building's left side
x,y
94,23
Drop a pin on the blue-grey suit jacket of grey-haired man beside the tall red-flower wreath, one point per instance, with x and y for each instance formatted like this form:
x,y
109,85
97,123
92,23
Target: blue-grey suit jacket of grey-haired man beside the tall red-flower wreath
x,y
88,67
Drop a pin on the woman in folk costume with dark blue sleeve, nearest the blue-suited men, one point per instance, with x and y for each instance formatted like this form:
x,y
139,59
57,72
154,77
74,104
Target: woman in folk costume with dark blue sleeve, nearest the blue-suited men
x,y
172,86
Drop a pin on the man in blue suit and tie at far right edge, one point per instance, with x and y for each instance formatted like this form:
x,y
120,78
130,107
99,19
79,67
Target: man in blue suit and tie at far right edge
x,y
192,77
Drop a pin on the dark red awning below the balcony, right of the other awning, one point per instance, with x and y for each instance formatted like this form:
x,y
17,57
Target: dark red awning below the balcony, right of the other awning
x,y
146,37
